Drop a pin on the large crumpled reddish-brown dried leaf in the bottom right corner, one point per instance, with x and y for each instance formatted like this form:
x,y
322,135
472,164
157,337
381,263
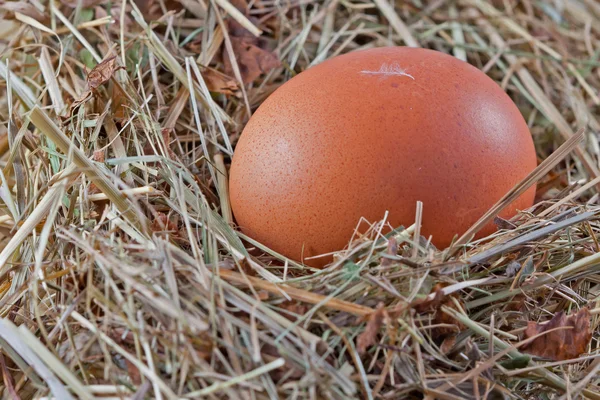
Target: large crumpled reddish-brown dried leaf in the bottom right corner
x,y
560,344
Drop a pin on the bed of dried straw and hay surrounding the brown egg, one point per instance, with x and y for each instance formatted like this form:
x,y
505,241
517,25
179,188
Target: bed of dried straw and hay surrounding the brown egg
x,y
122,276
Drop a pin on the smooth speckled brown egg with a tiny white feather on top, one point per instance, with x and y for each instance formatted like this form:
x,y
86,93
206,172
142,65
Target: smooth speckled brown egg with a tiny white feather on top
x,y
378,130
